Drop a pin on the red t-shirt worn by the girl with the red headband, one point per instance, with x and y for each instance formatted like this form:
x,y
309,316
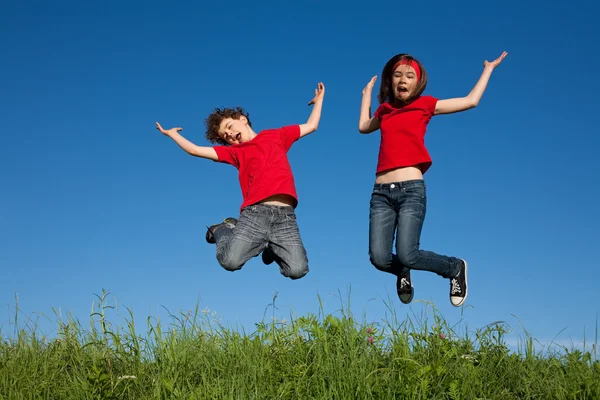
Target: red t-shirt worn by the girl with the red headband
x,y
403,134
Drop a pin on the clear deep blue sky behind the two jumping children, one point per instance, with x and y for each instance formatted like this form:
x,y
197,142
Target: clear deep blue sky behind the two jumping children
x,y
93,197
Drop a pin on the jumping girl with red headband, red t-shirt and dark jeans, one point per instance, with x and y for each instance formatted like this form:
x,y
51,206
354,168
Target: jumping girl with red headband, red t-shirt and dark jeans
x,y
398,201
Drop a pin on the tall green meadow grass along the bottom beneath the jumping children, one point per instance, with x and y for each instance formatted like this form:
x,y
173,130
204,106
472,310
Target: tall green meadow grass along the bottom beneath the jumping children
x,y
320,356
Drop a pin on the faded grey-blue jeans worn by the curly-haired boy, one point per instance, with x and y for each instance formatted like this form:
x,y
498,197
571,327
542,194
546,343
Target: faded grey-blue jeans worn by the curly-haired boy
x,y
258,225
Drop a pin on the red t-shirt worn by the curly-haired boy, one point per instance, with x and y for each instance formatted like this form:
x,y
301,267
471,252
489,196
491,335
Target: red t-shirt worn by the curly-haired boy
x,y
264,169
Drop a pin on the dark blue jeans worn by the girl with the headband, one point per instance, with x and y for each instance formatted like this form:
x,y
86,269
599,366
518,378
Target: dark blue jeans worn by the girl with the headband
x,y
399,208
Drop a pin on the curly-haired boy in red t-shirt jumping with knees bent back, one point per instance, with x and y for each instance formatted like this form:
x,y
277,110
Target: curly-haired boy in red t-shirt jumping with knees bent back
x,y
267,221
